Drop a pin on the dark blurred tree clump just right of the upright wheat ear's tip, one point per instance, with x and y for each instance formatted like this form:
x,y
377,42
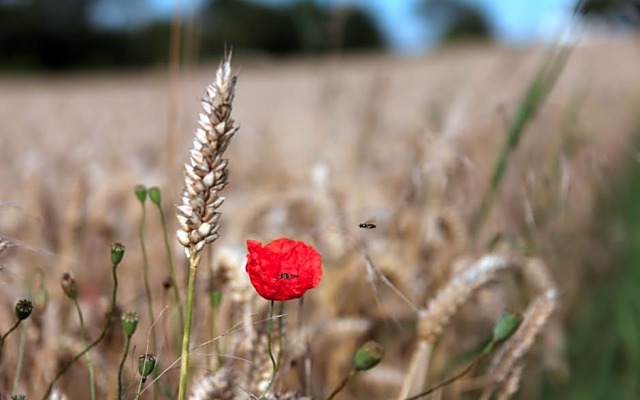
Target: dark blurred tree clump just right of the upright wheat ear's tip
x,y
304,26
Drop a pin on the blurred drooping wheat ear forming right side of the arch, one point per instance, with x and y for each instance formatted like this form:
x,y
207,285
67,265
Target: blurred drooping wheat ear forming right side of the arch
x,y
512,352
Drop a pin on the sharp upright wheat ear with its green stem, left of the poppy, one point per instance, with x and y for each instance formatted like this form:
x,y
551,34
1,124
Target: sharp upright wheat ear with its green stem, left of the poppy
x,y
205,176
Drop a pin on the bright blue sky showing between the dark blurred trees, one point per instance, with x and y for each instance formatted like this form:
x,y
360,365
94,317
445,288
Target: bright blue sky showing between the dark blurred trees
x,y
513,21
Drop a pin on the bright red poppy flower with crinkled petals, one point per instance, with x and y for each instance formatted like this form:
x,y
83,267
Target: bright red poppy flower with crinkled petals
x,y
283,269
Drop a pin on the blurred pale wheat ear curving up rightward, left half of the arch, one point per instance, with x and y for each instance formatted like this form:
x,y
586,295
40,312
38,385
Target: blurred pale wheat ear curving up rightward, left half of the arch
x,y
434,318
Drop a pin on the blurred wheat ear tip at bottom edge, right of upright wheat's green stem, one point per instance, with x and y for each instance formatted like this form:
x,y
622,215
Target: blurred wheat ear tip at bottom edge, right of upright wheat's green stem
x,y
220,385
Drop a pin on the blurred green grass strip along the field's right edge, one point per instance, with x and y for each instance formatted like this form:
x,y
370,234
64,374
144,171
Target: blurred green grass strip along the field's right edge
x,y
604,336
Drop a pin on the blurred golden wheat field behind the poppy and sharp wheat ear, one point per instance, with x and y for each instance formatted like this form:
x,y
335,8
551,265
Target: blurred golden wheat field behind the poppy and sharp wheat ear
x,y
407,144
